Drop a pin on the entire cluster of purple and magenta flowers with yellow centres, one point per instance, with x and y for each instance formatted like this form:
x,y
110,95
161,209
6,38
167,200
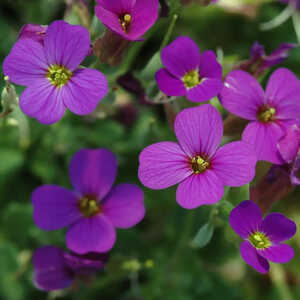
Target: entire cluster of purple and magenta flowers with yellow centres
x,y
47,61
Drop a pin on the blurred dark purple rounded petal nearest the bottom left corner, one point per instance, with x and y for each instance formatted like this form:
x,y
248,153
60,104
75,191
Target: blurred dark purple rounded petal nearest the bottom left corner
x,y
49,269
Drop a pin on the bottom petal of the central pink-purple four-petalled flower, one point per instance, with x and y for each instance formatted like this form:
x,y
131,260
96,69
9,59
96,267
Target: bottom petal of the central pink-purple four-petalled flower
x,y
199,189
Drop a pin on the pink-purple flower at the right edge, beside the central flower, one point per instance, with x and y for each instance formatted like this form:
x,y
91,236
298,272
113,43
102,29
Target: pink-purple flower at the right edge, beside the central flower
x,y
270,113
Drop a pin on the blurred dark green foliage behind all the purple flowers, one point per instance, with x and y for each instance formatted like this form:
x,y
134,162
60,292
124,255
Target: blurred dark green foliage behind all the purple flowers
x,y
41,154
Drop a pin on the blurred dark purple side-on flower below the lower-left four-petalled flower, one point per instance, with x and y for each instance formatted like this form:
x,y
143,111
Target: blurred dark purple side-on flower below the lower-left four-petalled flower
x,y
55,269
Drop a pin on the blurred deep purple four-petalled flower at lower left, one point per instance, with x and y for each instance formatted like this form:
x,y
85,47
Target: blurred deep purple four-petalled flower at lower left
x,y
94,209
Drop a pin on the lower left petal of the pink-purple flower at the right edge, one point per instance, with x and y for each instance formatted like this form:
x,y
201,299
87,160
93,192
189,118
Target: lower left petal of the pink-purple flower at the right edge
x,y
264,138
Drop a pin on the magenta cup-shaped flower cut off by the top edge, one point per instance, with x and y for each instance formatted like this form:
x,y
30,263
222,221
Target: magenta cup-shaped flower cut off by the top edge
x,y
128,18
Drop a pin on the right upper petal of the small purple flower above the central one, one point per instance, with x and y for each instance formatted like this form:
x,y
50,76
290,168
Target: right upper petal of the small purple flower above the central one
x,y
209,66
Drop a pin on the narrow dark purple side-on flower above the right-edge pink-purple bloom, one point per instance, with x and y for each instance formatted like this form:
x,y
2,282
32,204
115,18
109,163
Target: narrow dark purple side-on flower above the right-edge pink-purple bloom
x,y
259,62
